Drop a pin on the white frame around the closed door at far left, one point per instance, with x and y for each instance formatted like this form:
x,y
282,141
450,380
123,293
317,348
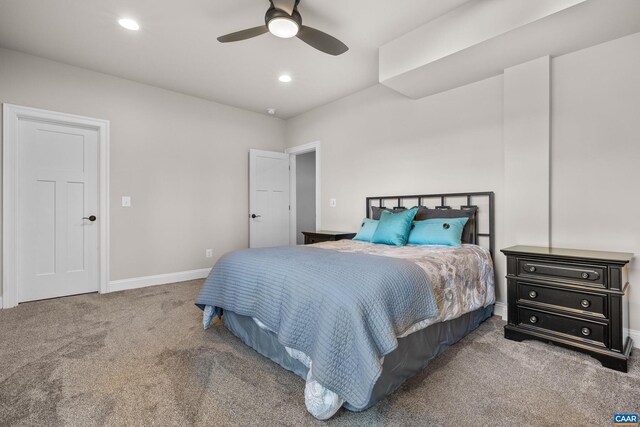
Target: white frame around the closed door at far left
x,y
12,114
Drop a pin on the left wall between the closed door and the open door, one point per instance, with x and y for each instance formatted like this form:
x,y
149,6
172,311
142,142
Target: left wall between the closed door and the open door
x,y
183,160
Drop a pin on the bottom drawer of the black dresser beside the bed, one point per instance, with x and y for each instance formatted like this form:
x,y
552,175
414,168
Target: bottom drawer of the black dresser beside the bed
x,y
595,333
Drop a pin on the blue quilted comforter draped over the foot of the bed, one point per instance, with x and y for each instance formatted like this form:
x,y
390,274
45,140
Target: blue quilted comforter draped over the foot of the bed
x,y
343,310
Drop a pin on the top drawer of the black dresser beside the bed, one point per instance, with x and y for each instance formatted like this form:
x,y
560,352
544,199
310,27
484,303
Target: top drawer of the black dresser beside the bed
x,y
588,275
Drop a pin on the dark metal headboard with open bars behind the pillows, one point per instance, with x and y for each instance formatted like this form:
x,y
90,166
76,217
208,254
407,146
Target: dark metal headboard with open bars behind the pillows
x,y
439,201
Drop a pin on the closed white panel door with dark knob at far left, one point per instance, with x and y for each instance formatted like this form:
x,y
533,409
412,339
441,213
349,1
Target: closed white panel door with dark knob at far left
x,y
57,244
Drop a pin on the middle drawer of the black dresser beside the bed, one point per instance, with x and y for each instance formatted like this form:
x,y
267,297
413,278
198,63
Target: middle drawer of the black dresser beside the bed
x,y
579,302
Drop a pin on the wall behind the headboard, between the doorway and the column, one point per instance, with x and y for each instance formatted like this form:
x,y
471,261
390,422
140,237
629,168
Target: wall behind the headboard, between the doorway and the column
x,y
378,142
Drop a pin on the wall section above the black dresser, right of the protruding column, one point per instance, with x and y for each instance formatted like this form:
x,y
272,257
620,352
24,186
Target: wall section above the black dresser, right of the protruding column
x,y
595,153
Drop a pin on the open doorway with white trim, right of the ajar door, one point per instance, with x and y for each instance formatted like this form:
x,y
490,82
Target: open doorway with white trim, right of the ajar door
x,y
305,190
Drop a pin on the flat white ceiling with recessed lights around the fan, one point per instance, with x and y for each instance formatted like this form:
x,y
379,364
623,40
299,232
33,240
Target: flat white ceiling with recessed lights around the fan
x,y
177,49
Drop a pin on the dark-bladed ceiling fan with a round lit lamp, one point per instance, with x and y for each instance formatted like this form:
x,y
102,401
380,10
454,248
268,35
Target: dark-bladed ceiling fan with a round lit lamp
x,y
285,21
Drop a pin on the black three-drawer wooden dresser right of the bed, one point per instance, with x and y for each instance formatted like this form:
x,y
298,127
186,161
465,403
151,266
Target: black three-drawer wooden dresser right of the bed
x,y
574,298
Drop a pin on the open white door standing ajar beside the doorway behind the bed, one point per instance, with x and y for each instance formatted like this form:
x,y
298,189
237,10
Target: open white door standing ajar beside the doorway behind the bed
x,y
268,199
